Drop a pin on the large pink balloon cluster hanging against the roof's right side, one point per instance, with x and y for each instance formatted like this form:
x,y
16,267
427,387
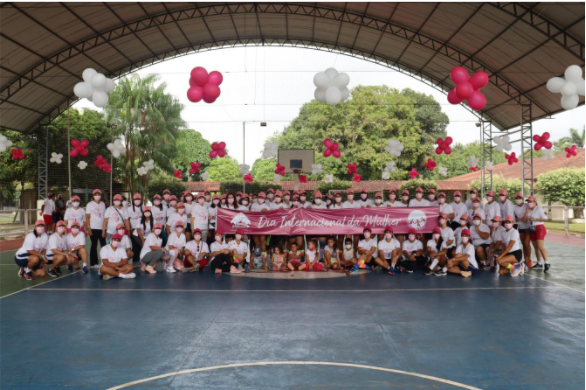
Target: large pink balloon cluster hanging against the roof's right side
x,y
468,88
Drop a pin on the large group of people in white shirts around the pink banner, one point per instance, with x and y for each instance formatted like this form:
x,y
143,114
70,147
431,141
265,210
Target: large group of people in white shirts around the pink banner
x,y
177,233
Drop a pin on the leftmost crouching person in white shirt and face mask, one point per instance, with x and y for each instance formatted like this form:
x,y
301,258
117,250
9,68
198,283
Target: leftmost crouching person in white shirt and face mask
x,y
31,256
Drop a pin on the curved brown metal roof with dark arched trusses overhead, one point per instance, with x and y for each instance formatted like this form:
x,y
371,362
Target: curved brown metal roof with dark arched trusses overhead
x,y
44,47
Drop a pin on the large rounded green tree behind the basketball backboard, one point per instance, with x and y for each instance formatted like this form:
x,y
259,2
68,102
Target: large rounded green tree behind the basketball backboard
x,y
363,124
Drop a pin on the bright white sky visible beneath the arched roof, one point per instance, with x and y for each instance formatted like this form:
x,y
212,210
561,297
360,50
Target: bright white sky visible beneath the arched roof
x,y
270,84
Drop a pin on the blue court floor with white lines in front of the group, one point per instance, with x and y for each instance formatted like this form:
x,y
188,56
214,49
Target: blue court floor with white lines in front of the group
x,y
371,331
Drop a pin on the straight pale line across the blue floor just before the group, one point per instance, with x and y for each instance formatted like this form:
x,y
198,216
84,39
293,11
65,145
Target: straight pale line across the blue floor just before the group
x,y
312,291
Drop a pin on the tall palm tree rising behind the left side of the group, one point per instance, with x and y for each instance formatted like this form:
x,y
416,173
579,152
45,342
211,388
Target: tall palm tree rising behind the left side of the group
x,y
149,120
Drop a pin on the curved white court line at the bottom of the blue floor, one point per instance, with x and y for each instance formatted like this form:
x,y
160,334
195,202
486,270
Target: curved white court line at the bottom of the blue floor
x,y
390,370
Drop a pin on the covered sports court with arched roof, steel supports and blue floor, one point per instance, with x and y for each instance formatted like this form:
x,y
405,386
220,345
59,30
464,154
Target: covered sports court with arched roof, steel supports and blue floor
x,y
366,331
